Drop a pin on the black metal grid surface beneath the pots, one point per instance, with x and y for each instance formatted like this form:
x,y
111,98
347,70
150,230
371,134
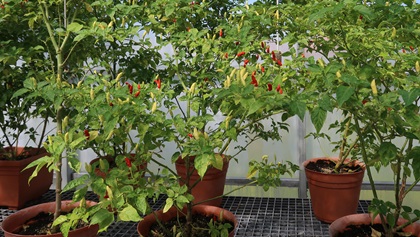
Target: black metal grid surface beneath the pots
x,y
256,216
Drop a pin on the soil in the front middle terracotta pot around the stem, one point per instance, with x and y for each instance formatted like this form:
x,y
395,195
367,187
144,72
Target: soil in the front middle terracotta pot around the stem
x,y
200,226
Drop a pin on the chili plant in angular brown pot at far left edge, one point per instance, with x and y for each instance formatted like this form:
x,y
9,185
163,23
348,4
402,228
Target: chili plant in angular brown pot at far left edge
x,y
23,128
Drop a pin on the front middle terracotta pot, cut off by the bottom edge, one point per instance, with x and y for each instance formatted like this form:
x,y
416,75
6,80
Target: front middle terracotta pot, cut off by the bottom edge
x,y
143,228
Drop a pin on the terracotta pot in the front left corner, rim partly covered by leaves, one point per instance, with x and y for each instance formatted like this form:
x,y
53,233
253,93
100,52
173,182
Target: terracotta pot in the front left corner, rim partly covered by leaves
x,y
16,220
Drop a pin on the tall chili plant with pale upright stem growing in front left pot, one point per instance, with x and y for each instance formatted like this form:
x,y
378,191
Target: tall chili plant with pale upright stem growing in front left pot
x,y
66,31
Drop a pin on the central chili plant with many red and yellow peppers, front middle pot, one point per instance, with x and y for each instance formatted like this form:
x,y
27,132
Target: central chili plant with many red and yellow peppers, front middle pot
x,y
212,88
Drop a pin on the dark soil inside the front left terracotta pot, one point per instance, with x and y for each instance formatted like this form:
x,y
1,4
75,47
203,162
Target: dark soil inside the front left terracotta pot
x,y
40,225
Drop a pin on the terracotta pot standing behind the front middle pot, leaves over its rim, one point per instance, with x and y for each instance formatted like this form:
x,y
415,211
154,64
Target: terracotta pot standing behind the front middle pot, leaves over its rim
x,y
212,185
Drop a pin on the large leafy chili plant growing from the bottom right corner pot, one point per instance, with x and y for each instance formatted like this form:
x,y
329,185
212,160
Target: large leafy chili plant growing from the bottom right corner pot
x,y
371,69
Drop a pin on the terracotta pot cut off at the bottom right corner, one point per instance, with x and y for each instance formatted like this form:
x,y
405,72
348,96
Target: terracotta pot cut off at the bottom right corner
x,y
340,224
